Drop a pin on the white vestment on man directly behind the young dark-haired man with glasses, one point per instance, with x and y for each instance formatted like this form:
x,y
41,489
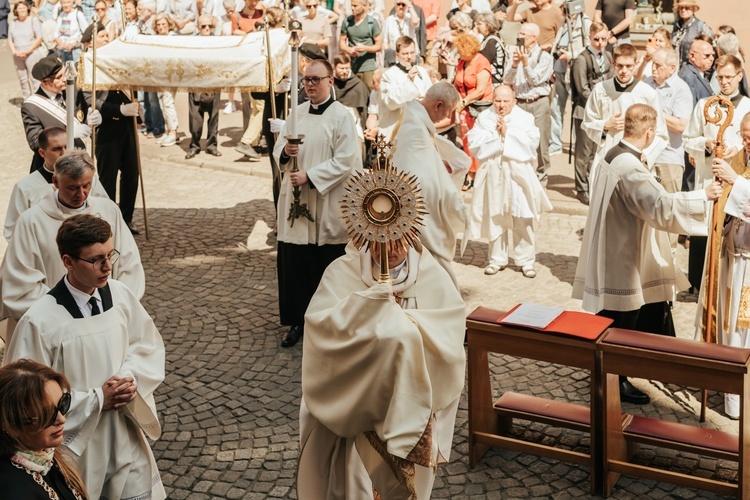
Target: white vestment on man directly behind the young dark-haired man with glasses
x,y
32,263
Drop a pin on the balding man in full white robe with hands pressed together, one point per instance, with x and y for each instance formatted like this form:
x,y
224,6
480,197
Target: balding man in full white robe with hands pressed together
x,y
508,196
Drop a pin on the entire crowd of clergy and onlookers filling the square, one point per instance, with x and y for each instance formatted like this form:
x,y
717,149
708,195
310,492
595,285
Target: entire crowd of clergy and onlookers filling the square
x,y
477,105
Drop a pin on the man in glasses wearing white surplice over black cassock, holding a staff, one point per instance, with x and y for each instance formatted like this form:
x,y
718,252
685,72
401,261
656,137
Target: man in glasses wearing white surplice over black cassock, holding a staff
x,y
326,159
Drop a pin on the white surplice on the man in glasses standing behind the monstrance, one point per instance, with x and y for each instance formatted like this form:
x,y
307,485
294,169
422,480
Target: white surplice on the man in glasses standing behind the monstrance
x,y
329,155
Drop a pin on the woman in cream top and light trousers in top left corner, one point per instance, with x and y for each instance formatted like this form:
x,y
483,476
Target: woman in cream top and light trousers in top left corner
x,y
24,38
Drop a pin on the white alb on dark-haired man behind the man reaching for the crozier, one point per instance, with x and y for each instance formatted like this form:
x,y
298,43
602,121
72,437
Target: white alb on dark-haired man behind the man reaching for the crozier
x,y
605,102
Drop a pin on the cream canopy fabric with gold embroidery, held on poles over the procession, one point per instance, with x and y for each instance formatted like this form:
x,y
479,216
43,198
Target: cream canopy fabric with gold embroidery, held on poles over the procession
x,y
187,63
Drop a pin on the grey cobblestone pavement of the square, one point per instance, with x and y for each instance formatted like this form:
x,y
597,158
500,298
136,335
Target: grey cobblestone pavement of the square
x,y
230,400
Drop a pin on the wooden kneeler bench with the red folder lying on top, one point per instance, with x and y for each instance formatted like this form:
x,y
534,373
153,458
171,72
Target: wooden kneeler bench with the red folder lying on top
x,y
489,423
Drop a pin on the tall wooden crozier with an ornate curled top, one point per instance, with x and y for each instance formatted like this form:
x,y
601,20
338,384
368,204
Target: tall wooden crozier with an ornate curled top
x,y
709,326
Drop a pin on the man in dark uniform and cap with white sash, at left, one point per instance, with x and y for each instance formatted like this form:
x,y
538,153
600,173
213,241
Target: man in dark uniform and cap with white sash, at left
x,y
46,107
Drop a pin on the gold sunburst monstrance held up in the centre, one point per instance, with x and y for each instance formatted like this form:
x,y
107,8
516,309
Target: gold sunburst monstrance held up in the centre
x,y
383,206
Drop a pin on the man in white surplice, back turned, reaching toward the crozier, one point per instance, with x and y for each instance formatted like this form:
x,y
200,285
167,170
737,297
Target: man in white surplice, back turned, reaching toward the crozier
x,y
625,270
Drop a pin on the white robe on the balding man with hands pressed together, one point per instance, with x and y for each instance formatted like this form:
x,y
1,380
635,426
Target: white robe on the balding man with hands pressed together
x,y
506,185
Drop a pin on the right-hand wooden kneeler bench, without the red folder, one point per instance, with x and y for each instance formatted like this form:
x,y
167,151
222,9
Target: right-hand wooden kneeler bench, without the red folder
x,y
677,361
